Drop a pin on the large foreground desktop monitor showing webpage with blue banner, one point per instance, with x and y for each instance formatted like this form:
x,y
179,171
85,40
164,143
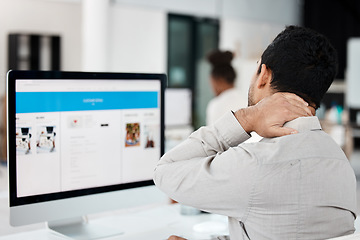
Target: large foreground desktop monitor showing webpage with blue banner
x,y
80,143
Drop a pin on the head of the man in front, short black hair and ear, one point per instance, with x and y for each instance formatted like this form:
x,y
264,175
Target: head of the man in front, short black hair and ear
x,y
300,61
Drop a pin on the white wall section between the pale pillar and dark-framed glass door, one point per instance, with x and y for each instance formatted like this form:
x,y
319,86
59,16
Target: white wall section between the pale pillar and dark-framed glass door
x,y
138,39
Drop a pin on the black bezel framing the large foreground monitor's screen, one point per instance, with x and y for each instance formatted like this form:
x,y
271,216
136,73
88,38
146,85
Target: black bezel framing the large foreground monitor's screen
x,y
14,75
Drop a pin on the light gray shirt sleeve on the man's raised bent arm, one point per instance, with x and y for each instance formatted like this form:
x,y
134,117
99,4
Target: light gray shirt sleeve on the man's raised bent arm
x,y
210,170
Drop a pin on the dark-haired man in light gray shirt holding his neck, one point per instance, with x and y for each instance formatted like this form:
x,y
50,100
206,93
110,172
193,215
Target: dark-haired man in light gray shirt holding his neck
x,y
294,184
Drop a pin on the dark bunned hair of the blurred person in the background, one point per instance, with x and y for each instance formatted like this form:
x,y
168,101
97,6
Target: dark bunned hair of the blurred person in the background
x,y
221,65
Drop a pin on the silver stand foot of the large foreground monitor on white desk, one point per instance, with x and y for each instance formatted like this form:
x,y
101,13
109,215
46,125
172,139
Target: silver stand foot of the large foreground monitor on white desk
x,y
80,228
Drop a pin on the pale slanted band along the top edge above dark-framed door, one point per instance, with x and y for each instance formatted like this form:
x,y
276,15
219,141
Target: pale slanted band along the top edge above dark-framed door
x,y
274,11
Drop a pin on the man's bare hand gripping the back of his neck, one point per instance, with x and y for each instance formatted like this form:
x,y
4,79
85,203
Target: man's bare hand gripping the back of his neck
x,y
269,115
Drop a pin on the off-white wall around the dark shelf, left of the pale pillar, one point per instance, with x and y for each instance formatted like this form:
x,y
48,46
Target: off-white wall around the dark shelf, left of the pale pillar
x,y
42,17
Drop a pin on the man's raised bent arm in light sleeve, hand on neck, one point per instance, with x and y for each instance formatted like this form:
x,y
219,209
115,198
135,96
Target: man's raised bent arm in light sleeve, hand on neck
x,y
204,170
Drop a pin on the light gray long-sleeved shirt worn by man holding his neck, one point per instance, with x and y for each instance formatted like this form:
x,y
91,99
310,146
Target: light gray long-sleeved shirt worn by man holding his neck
x,y
299,186
